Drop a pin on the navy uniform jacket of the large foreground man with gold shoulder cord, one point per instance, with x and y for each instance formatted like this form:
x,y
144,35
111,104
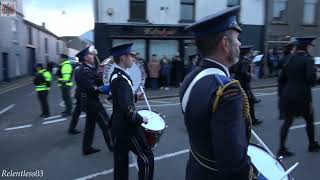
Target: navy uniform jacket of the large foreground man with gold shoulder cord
x,y
221,136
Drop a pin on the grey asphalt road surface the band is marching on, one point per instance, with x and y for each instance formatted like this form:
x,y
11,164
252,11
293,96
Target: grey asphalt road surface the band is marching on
x,y
33,144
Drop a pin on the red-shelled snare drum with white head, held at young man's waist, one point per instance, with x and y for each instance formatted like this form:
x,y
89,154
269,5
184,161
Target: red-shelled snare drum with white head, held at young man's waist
x,y
155,127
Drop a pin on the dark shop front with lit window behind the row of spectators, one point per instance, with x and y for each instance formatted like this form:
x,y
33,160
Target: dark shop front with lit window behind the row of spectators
x,y
162,40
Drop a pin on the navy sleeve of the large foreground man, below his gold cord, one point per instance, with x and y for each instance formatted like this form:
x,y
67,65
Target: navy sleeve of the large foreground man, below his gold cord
x,y
229,139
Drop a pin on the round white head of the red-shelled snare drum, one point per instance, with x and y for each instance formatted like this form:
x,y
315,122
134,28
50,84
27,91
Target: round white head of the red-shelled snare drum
x,y
156,122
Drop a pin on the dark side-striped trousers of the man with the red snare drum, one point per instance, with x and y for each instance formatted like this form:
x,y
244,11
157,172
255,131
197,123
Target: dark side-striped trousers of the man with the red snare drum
x,y
138,145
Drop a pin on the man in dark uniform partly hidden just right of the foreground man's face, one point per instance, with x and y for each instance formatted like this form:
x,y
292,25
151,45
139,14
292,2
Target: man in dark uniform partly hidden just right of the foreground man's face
x,y
243,75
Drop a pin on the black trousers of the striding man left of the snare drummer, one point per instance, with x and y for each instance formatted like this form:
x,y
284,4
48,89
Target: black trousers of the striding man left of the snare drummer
x,y
96,114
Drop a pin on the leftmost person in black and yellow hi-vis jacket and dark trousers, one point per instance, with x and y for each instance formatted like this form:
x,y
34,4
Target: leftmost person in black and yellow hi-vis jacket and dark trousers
x,y
42,82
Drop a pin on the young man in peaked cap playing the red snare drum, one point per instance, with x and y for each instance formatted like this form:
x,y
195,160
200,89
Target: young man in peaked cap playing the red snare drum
x,y
126,122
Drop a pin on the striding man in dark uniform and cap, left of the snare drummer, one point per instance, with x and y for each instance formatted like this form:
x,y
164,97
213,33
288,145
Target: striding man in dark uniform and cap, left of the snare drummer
x,y
89,94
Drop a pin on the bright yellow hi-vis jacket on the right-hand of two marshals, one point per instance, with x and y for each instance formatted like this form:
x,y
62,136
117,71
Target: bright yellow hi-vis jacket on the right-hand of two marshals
x,y
66,74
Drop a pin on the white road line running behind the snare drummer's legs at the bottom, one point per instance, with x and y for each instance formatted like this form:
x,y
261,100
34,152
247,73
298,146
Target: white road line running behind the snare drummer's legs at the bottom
x,y
132,164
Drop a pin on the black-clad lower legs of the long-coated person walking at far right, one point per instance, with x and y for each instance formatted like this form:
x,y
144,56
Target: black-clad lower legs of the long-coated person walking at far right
x,y
308,117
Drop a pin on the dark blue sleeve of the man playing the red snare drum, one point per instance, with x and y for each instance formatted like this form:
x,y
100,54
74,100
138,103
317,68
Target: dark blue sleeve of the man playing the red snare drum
x,y
126,101
